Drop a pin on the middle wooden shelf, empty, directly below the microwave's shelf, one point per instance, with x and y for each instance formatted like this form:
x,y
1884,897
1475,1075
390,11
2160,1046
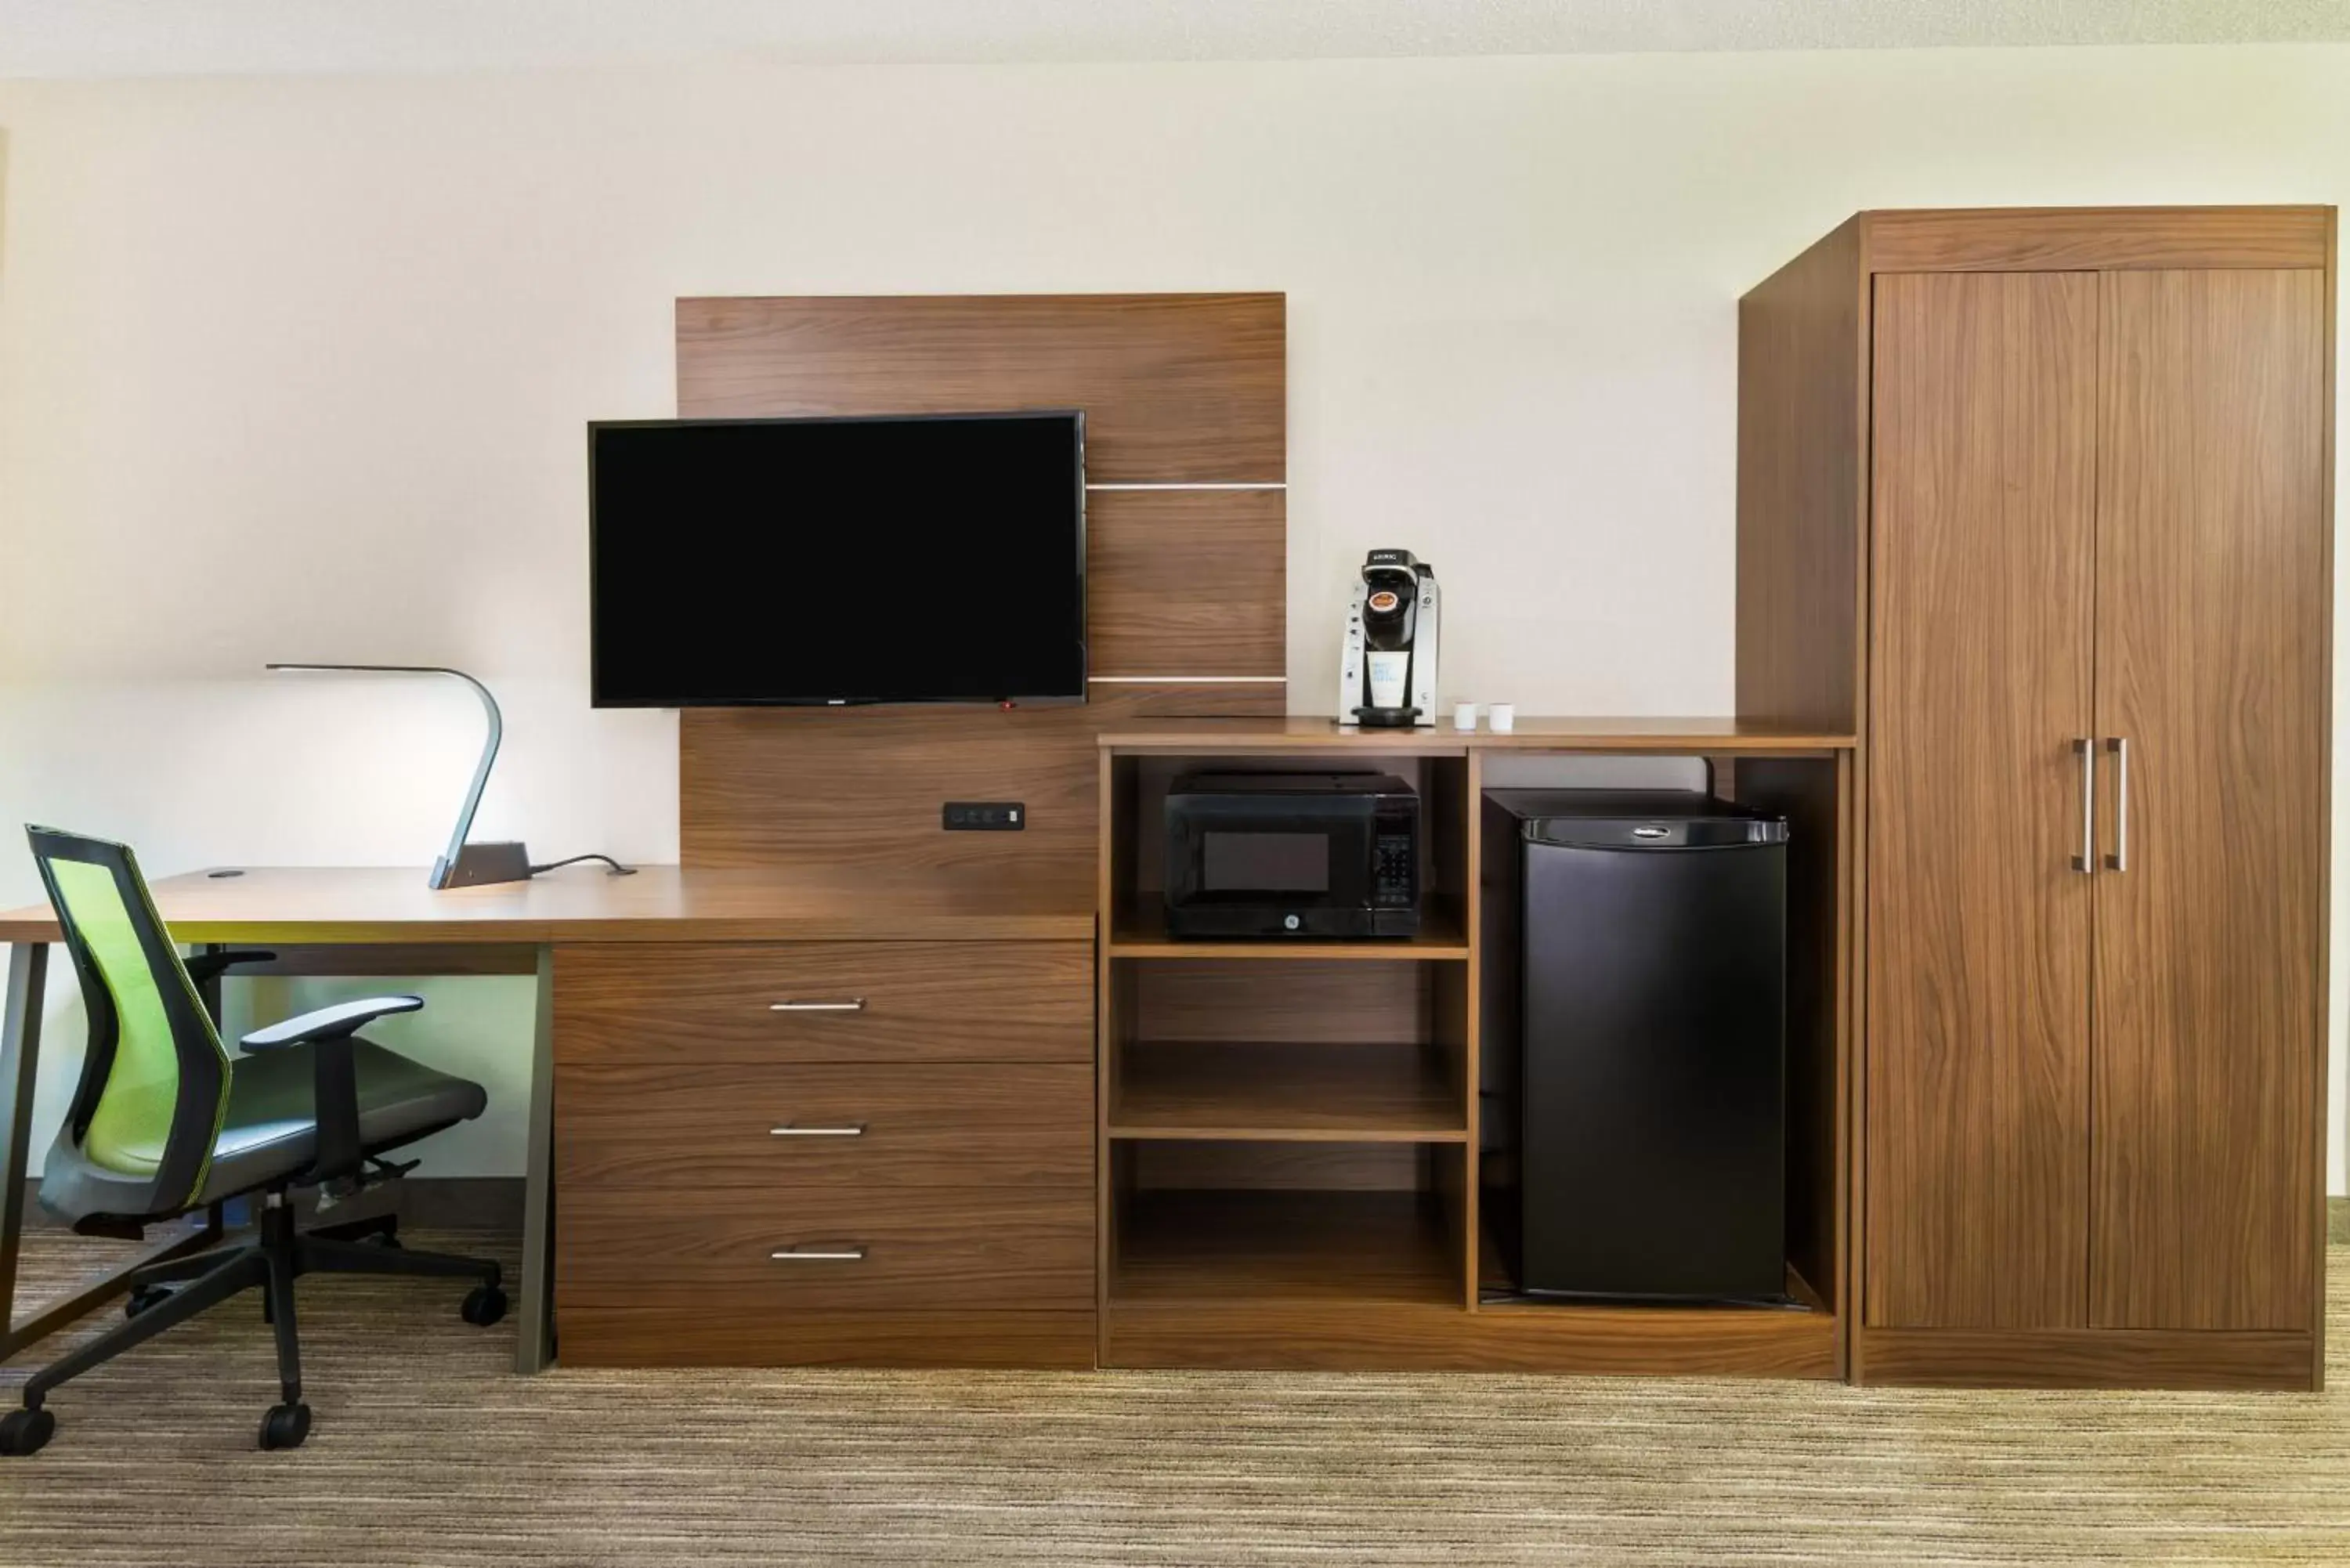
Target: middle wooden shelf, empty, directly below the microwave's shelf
x,y
1287,1094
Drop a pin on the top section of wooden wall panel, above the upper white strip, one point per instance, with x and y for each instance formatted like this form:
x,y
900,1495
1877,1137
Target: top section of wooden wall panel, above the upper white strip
x,y
1176,387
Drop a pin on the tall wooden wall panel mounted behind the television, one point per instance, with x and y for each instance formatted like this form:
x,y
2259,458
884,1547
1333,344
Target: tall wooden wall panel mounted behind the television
x,y
1179,389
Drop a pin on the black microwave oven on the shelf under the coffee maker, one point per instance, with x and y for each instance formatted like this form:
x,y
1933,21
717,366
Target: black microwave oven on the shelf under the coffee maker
x,y
1291,855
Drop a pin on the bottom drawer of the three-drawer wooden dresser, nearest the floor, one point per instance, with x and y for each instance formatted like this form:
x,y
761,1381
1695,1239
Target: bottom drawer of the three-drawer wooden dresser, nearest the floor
x,y
911,1249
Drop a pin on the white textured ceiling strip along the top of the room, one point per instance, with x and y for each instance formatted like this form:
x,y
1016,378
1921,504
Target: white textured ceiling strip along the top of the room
x,y
323,36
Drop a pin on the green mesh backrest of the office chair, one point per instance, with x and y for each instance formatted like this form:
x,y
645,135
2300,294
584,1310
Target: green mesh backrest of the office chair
x,y
154,1090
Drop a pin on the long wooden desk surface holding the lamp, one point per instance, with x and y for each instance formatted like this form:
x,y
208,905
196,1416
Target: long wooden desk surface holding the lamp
x,y
582,904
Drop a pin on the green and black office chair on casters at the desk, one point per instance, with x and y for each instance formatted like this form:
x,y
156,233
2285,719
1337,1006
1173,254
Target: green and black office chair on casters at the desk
x,y
166,1123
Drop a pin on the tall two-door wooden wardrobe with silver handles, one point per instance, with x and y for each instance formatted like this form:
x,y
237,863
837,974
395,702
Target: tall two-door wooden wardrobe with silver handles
x,y
2041,502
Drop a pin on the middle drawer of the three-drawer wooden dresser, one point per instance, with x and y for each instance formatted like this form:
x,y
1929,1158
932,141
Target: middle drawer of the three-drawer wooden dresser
x,y
629,1125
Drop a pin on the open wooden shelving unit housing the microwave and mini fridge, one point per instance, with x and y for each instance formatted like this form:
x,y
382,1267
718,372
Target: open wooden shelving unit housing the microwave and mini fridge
x,y
1291,1160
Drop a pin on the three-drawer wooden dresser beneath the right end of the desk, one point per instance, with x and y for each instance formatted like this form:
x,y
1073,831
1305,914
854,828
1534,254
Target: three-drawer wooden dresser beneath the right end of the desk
x,y
828,1151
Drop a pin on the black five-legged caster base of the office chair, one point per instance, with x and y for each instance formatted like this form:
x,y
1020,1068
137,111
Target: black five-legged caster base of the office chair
x,y
278,1254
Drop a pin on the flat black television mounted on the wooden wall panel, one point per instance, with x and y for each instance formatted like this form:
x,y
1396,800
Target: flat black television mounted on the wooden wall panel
x,y
932,558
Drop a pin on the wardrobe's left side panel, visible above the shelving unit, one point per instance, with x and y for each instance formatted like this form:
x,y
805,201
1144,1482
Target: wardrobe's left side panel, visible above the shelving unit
x,y
1804,394
